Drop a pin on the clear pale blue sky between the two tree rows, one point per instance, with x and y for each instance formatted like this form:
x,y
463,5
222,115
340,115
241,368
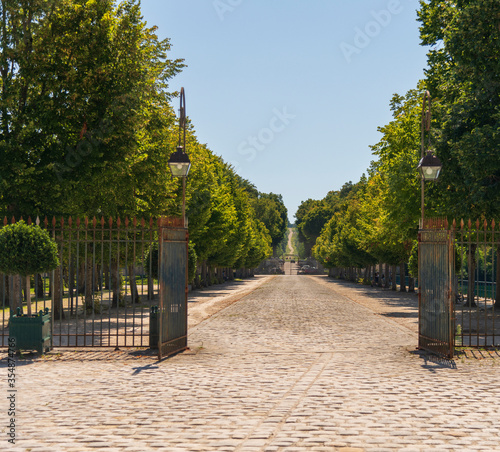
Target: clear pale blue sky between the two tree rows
x,y
291,92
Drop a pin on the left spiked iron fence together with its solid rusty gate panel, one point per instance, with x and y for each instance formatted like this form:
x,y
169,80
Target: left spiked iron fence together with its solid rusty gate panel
x,y
115,278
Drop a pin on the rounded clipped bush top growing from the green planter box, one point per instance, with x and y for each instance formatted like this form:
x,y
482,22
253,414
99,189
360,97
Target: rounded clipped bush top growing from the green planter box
x,y
26,250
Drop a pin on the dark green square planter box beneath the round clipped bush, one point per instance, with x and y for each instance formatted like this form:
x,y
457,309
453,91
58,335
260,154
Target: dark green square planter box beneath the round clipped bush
x,y
31,332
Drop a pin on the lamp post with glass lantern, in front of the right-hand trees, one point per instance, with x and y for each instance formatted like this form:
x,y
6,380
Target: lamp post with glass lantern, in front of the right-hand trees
x,y
429,165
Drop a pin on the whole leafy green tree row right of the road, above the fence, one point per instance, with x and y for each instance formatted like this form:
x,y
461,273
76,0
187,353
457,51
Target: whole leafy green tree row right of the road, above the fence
x,y
376,219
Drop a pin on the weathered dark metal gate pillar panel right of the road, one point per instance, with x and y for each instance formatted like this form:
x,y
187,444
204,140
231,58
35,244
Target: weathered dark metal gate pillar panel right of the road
x,y
435,276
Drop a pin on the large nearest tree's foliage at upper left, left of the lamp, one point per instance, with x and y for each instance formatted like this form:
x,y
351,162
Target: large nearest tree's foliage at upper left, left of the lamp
x,y
78,80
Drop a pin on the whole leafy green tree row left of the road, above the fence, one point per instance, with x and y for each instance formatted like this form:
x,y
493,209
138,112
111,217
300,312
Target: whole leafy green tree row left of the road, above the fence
x,y
87,128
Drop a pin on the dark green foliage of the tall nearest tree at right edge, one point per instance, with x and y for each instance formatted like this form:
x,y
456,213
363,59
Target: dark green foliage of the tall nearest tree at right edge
x,y
464,80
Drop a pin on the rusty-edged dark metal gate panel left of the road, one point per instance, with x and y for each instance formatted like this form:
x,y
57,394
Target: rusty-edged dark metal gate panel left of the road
x,y
173,279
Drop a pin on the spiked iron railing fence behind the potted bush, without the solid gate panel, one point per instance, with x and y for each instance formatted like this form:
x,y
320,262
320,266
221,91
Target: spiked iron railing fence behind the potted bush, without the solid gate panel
x,y
105,288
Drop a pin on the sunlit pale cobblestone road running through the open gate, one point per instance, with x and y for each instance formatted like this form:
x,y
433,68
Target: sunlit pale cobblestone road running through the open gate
x,y
294,366
